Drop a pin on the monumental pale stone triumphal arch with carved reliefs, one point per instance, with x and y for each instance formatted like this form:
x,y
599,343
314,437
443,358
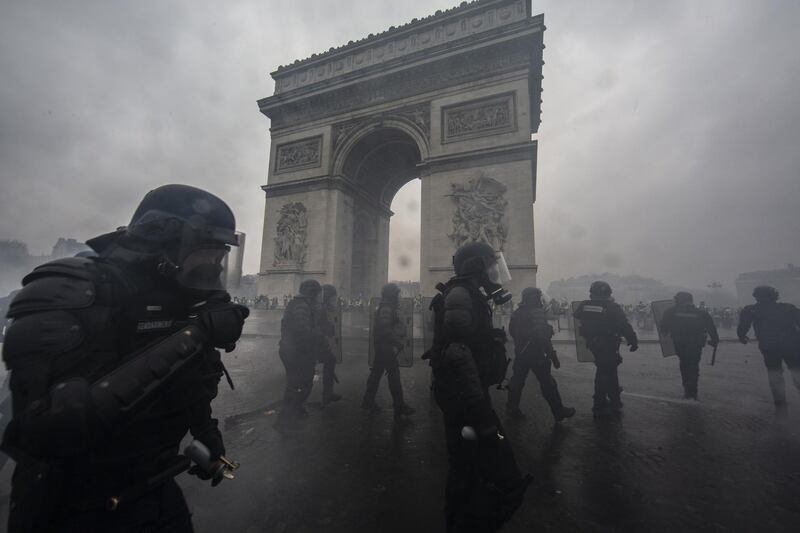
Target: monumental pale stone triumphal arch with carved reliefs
x,y
453,100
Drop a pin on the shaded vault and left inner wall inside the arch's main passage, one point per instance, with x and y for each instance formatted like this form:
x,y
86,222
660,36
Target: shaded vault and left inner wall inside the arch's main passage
x,y
378,165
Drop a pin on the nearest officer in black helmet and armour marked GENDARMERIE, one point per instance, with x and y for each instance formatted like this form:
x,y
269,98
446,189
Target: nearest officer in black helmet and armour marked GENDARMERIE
x,y
112,361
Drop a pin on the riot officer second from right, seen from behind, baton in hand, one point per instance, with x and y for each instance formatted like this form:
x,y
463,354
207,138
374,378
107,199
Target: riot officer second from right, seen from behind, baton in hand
x,y
688,326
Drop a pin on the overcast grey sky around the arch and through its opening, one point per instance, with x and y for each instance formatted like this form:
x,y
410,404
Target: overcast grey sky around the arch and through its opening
x,y
669,147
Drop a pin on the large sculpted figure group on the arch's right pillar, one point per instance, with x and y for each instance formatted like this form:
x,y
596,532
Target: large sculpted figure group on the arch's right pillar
x,y
480,212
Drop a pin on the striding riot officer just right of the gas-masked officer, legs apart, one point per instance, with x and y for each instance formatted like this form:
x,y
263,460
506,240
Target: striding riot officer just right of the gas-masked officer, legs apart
x,y
533,351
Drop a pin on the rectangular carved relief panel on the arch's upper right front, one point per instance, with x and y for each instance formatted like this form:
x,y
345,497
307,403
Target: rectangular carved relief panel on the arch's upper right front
x,y
487,116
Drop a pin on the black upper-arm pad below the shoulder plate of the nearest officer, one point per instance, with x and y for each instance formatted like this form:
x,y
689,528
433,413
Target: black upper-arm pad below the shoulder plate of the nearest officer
x,y
41,335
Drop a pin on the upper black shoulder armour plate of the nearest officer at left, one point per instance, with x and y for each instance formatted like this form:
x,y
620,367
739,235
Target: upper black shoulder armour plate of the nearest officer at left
x,y
51,292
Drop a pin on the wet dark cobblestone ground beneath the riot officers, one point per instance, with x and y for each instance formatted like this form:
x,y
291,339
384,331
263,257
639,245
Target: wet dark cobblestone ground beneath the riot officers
x,y
724,463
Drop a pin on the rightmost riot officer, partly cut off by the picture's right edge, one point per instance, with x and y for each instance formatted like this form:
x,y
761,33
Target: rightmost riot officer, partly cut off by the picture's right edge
x,y
776,325
